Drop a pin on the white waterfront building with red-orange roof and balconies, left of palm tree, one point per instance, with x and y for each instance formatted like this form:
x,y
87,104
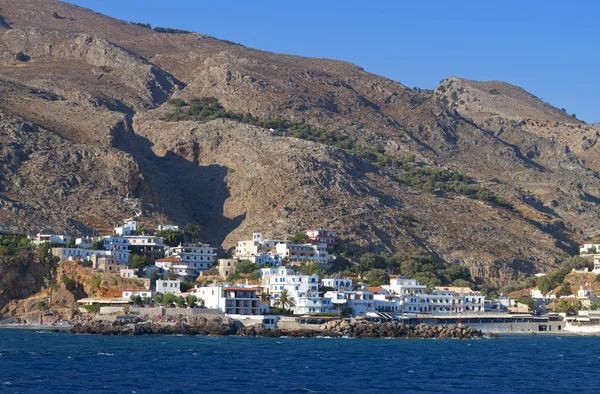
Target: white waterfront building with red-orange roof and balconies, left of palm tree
x,y
230,300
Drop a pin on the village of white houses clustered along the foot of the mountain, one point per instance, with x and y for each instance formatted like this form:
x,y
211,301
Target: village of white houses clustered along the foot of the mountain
x,y
273,282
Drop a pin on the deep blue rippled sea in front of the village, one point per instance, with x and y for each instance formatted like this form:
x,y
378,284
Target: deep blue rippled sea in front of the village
x,y
44,362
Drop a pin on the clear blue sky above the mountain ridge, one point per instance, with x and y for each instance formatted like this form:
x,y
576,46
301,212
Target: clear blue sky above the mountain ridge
x,y
550,48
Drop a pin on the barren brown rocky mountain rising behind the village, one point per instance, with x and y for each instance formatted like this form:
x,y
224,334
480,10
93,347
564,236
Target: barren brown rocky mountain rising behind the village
x,y
85,143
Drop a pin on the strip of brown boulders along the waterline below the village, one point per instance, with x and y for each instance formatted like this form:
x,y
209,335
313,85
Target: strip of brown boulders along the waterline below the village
x,y
225,326
